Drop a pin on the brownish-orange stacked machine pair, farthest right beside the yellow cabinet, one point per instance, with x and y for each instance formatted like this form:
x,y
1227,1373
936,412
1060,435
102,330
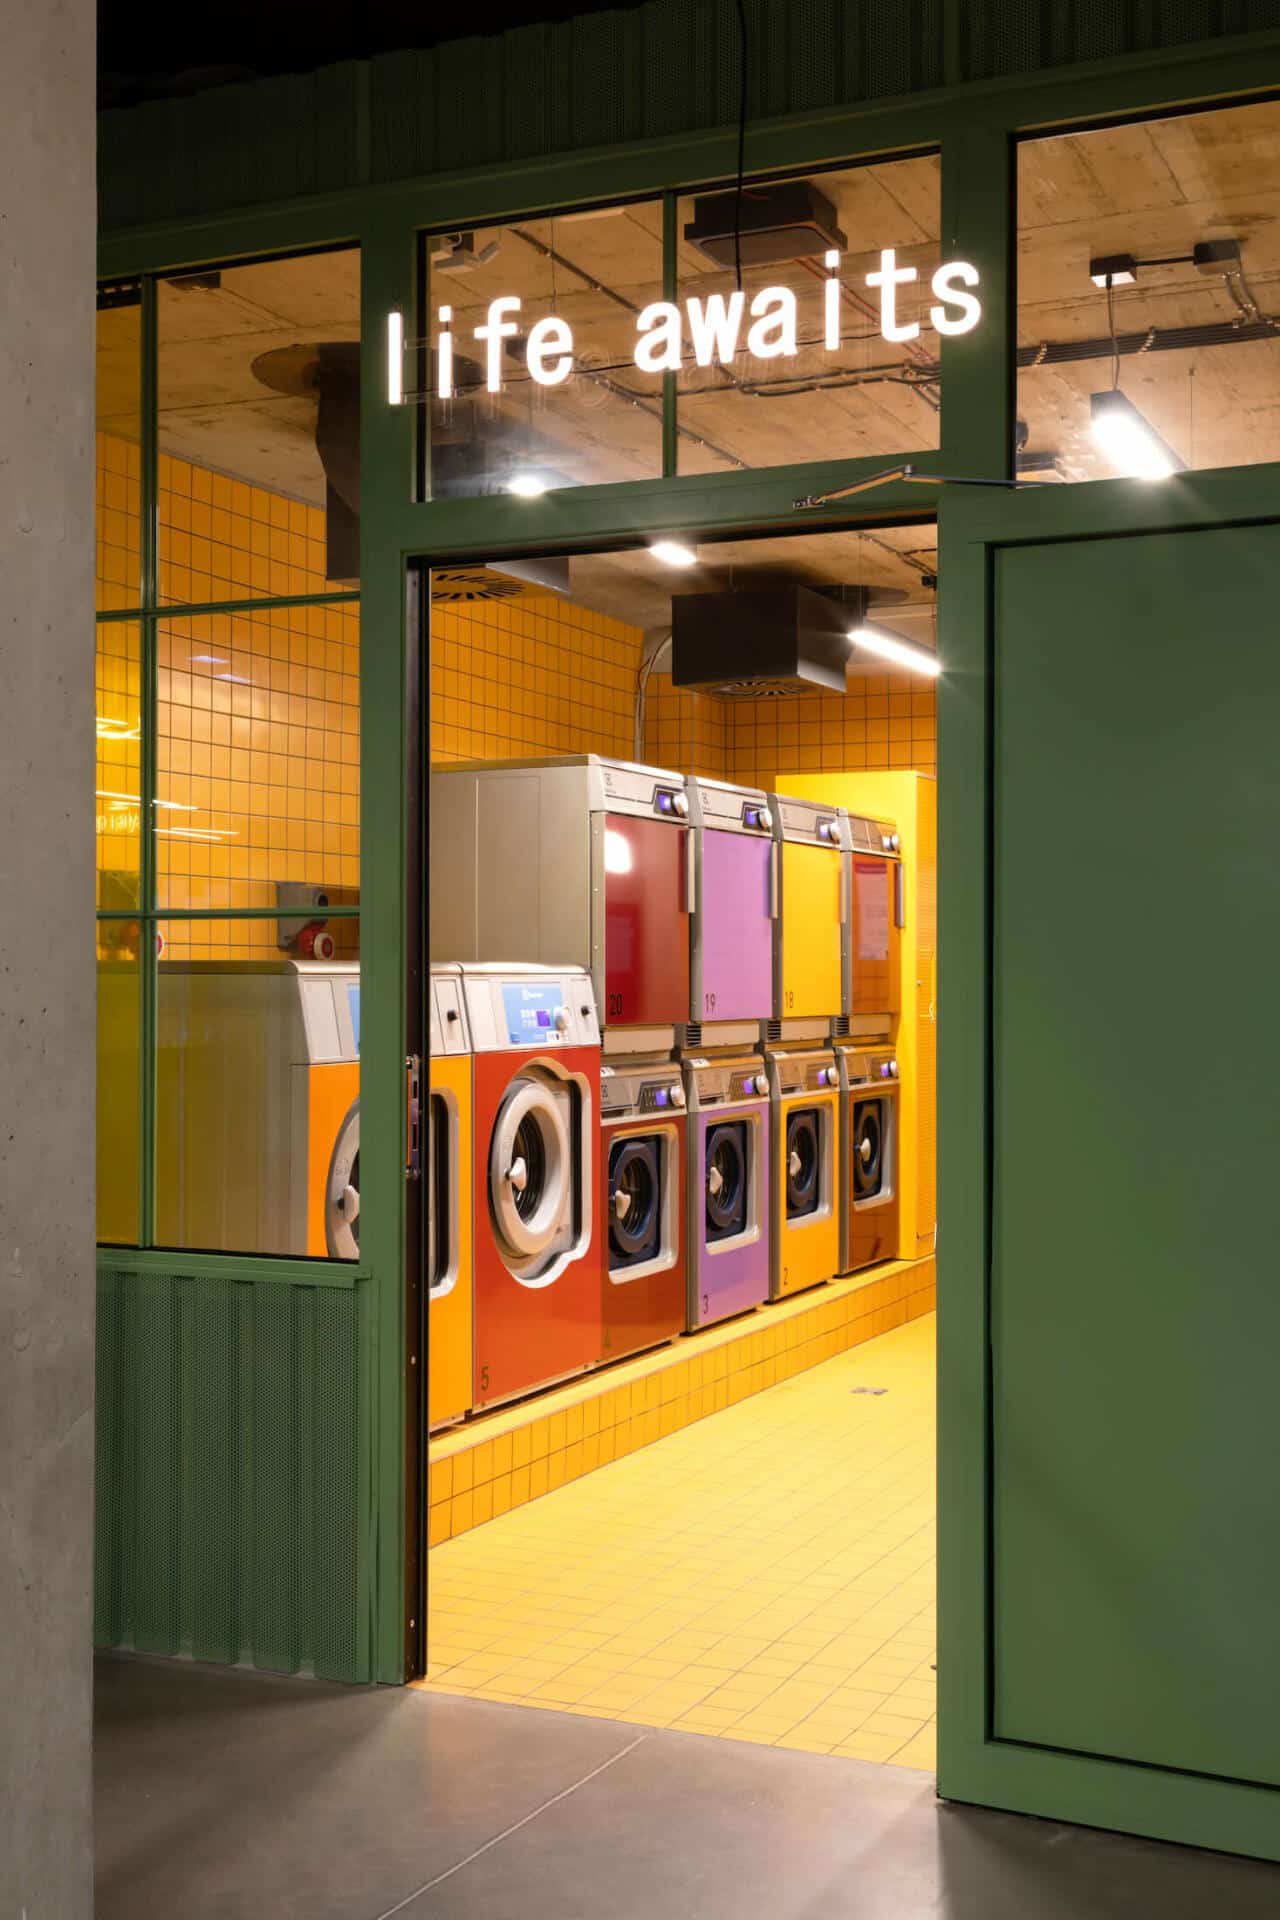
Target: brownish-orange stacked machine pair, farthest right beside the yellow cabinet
x,y
868,1067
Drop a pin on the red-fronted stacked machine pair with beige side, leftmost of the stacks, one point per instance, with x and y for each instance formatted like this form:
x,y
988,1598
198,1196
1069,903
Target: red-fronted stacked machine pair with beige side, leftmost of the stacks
x,y
590,863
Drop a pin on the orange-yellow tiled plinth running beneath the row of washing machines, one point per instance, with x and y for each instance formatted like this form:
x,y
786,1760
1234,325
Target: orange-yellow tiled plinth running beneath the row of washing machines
x,y
517,1454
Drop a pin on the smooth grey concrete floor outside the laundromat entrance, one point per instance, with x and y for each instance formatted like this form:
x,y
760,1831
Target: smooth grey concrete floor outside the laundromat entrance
x,y
231,1794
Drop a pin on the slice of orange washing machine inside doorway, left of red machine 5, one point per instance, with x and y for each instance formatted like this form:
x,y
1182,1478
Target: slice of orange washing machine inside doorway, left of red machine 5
x,y
450,1358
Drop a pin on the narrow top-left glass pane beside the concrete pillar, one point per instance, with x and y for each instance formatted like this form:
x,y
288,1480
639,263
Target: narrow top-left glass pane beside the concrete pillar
x,y
118,450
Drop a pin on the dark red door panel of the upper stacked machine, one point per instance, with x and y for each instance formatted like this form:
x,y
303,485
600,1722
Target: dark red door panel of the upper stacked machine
x,y
646,923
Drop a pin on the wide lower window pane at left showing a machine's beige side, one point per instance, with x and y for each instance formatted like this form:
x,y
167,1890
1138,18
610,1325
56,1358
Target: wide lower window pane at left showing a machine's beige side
x,y
258,1090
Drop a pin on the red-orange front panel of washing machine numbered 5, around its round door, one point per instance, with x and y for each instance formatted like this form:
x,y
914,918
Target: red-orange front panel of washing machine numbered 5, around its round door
x,y
531,1335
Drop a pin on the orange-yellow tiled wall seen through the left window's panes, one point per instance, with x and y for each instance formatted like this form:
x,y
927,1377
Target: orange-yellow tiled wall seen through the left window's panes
x,y
258,713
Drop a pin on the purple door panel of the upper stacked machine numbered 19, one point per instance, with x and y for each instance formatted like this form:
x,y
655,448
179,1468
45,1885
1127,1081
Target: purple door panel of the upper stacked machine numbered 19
x,y
736,932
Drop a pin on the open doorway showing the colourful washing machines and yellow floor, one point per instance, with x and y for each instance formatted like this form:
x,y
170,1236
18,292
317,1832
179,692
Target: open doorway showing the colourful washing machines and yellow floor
x,y
682,934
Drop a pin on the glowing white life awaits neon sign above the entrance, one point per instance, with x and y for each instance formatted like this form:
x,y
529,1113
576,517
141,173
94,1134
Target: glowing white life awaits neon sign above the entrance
x,y
715,329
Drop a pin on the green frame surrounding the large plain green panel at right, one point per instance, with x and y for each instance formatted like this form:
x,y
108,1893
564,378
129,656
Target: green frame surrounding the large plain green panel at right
x,y
972,1764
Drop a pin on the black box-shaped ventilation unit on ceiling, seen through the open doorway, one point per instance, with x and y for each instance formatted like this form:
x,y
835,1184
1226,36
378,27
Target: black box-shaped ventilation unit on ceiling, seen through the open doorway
x,y
765,640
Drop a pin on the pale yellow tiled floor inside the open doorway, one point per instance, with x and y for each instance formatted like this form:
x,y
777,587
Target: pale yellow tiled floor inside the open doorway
x,y
765,1575
